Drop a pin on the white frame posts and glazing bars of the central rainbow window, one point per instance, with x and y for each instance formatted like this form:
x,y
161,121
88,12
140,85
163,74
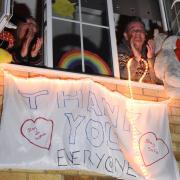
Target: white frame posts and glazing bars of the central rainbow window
x,y
49,40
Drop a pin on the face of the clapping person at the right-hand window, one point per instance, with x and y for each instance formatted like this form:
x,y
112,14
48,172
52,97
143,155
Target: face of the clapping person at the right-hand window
x,y
136,34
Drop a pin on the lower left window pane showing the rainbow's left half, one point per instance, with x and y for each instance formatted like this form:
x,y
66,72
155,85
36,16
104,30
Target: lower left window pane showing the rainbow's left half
x,y
66,40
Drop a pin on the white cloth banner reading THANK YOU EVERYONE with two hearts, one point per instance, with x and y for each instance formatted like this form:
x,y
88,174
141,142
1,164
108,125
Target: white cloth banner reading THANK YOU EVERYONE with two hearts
x,y
80,125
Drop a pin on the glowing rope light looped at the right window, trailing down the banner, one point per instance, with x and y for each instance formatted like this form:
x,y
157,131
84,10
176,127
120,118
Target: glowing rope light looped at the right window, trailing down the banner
x,y
135,133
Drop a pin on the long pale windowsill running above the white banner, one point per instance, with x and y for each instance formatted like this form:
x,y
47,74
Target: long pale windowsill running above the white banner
x,y
64,74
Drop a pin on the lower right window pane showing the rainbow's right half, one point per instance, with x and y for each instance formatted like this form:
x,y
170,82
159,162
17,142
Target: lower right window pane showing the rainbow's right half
x,y
98,56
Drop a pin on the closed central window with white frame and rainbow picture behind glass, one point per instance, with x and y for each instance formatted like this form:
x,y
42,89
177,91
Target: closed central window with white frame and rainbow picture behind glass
x,y
84,40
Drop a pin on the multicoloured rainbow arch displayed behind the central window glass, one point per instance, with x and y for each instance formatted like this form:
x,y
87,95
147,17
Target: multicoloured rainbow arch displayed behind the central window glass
x,y
72,59
